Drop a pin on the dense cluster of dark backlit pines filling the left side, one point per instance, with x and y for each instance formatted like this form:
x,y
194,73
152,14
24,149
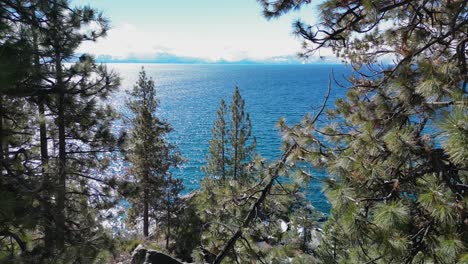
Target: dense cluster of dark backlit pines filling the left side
x,y
55,132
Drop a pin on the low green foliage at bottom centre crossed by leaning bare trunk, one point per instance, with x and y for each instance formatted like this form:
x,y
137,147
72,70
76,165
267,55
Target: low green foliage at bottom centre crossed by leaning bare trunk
x,y
223,205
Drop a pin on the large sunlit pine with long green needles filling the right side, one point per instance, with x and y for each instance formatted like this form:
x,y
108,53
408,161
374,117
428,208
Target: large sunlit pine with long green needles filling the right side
x,y
396,147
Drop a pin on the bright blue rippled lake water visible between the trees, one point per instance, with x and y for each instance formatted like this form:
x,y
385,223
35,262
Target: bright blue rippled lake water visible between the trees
x,y
190,94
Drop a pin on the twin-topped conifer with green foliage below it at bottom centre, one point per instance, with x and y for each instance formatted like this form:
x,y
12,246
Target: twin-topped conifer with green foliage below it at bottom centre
x,y
279,231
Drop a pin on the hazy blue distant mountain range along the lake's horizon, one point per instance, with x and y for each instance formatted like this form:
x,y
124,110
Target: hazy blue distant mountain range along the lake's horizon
x,y
171,58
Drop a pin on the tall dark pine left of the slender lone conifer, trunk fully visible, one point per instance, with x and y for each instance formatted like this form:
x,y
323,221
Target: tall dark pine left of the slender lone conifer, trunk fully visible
x,y
81,120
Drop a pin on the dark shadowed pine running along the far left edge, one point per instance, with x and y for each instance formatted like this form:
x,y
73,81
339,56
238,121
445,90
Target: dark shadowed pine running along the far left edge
x,y
19,186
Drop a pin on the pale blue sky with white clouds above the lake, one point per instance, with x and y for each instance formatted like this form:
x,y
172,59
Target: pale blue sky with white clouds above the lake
x,y
212,30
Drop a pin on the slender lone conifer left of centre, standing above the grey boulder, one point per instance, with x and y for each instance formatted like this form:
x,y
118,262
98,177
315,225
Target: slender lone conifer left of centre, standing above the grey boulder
x,y
149,154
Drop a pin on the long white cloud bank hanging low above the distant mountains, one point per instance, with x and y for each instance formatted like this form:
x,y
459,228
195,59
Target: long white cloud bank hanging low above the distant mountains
x,y
127,40
